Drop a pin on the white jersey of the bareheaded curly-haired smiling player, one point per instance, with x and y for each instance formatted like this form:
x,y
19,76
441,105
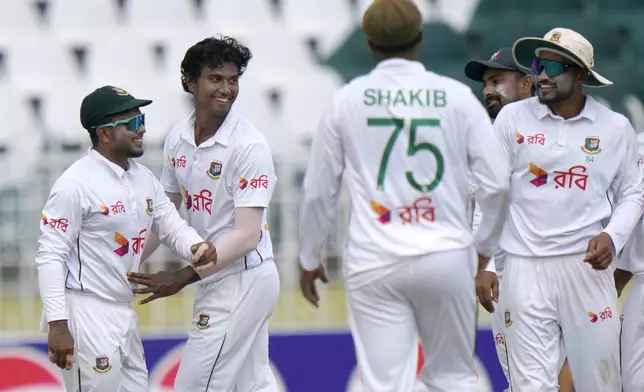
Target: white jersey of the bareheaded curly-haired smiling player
x,y
232,169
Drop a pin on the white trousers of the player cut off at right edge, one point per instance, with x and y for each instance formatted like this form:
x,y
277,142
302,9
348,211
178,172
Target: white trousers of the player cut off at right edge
x,y
632,341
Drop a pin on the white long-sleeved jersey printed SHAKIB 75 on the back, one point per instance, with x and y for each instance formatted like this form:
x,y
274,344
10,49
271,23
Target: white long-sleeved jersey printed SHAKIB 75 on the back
x,y
404,138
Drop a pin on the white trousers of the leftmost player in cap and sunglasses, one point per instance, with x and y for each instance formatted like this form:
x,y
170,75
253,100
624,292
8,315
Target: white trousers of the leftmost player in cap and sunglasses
x,y
107,347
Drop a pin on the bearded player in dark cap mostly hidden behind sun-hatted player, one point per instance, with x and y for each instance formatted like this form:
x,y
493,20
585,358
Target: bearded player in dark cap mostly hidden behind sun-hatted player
x,y
503,83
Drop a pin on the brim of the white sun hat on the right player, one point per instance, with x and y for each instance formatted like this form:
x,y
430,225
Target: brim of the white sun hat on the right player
x,y
524,51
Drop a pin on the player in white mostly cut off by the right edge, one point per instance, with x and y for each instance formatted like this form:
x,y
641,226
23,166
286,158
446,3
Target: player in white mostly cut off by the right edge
x,y
631,263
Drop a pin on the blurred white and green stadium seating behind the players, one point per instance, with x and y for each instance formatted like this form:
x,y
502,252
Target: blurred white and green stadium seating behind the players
x,y
53,52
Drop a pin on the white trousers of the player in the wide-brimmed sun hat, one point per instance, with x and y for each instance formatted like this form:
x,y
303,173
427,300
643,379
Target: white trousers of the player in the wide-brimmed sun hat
x,y
547,298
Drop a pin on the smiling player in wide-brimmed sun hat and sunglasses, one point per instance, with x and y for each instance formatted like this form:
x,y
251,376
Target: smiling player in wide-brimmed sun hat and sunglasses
x,y
566,153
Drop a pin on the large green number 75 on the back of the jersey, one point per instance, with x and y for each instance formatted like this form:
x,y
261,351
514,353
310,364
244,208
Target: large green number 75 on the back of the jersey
x,y
412,148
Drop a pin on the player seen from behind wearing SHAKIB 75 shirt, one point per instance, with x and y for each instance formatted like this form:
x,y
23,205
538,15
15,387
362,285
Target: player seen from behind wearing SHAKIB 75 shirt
x,y
405,138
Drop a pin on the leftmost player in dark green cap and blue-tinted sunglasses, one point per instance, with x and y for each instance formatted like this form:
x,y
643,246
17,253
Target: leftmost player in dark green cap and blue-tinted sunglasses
x,y
94,227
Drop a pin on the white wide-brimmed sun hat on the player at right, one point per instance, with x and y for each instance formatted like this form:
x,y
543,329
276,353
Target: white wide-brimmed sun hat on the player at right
x,y
565,42
